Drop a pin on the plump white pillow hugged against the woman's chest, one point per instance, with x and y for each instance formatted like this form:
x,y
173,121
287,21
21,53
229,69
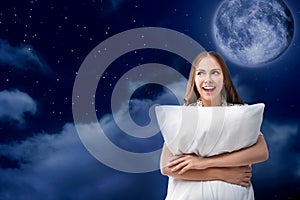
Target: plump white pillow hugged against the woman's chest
x,y
208,131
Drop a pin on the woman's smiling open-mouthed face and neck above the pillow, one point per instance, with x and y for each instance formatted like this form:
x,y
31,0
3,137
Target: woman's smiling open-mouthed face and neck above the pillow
x,y
209,81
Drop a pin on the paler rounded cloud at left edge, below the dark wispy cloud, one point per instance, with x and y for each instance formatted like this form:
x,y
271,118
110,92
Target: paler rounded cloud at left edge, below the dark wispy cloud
x,y
14,104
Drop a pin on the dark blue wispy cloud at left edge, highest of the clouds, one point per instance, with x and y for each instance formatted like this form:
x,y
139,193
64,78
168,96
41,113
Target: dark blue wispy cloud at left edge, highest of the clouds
x,y
21,57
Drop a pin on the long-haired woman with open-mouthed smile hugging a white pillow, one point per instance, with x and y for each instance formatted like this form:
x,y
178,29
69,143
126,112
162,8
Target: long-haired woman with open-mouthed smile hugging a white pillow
x,y
210,85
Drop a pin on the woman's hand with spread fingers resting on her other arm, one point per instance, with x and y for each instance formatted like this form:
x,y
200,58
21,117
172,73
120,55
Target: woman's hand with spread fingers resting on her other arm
x,y
185,162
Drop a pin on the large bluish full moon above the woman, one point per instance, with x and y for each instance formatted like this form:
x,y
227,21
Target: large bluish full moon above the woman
x,y
252,33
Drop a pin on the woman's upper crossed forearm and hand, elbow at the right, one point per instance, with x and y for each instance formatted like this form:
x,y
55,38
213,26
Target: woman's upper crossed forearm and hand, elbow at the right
x,y
253,154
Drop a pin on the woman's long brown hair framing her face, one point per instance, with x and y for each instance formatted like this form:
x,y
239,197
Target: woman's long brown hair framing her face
x,y
229,90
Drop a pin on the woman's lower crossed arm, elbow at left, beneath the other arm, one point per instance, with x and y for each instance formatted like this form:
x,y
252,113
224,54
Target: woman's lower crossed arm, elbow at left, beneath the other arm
x,y
235,175
